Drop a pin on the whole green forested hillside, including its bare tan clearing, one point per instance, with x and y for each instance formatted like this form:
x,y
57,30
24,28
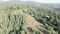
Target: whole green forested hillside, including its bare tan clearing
x,y
28,19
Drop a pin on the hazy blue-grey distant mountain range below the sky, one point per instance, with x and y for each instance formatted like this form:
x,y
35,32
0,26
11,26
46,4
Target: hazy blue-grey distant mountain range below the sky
x,y
51,6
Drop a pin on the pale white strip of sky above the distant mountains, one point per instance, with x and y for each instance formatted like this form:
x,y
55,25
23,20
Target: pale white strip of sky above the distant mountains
x,y
39,1
